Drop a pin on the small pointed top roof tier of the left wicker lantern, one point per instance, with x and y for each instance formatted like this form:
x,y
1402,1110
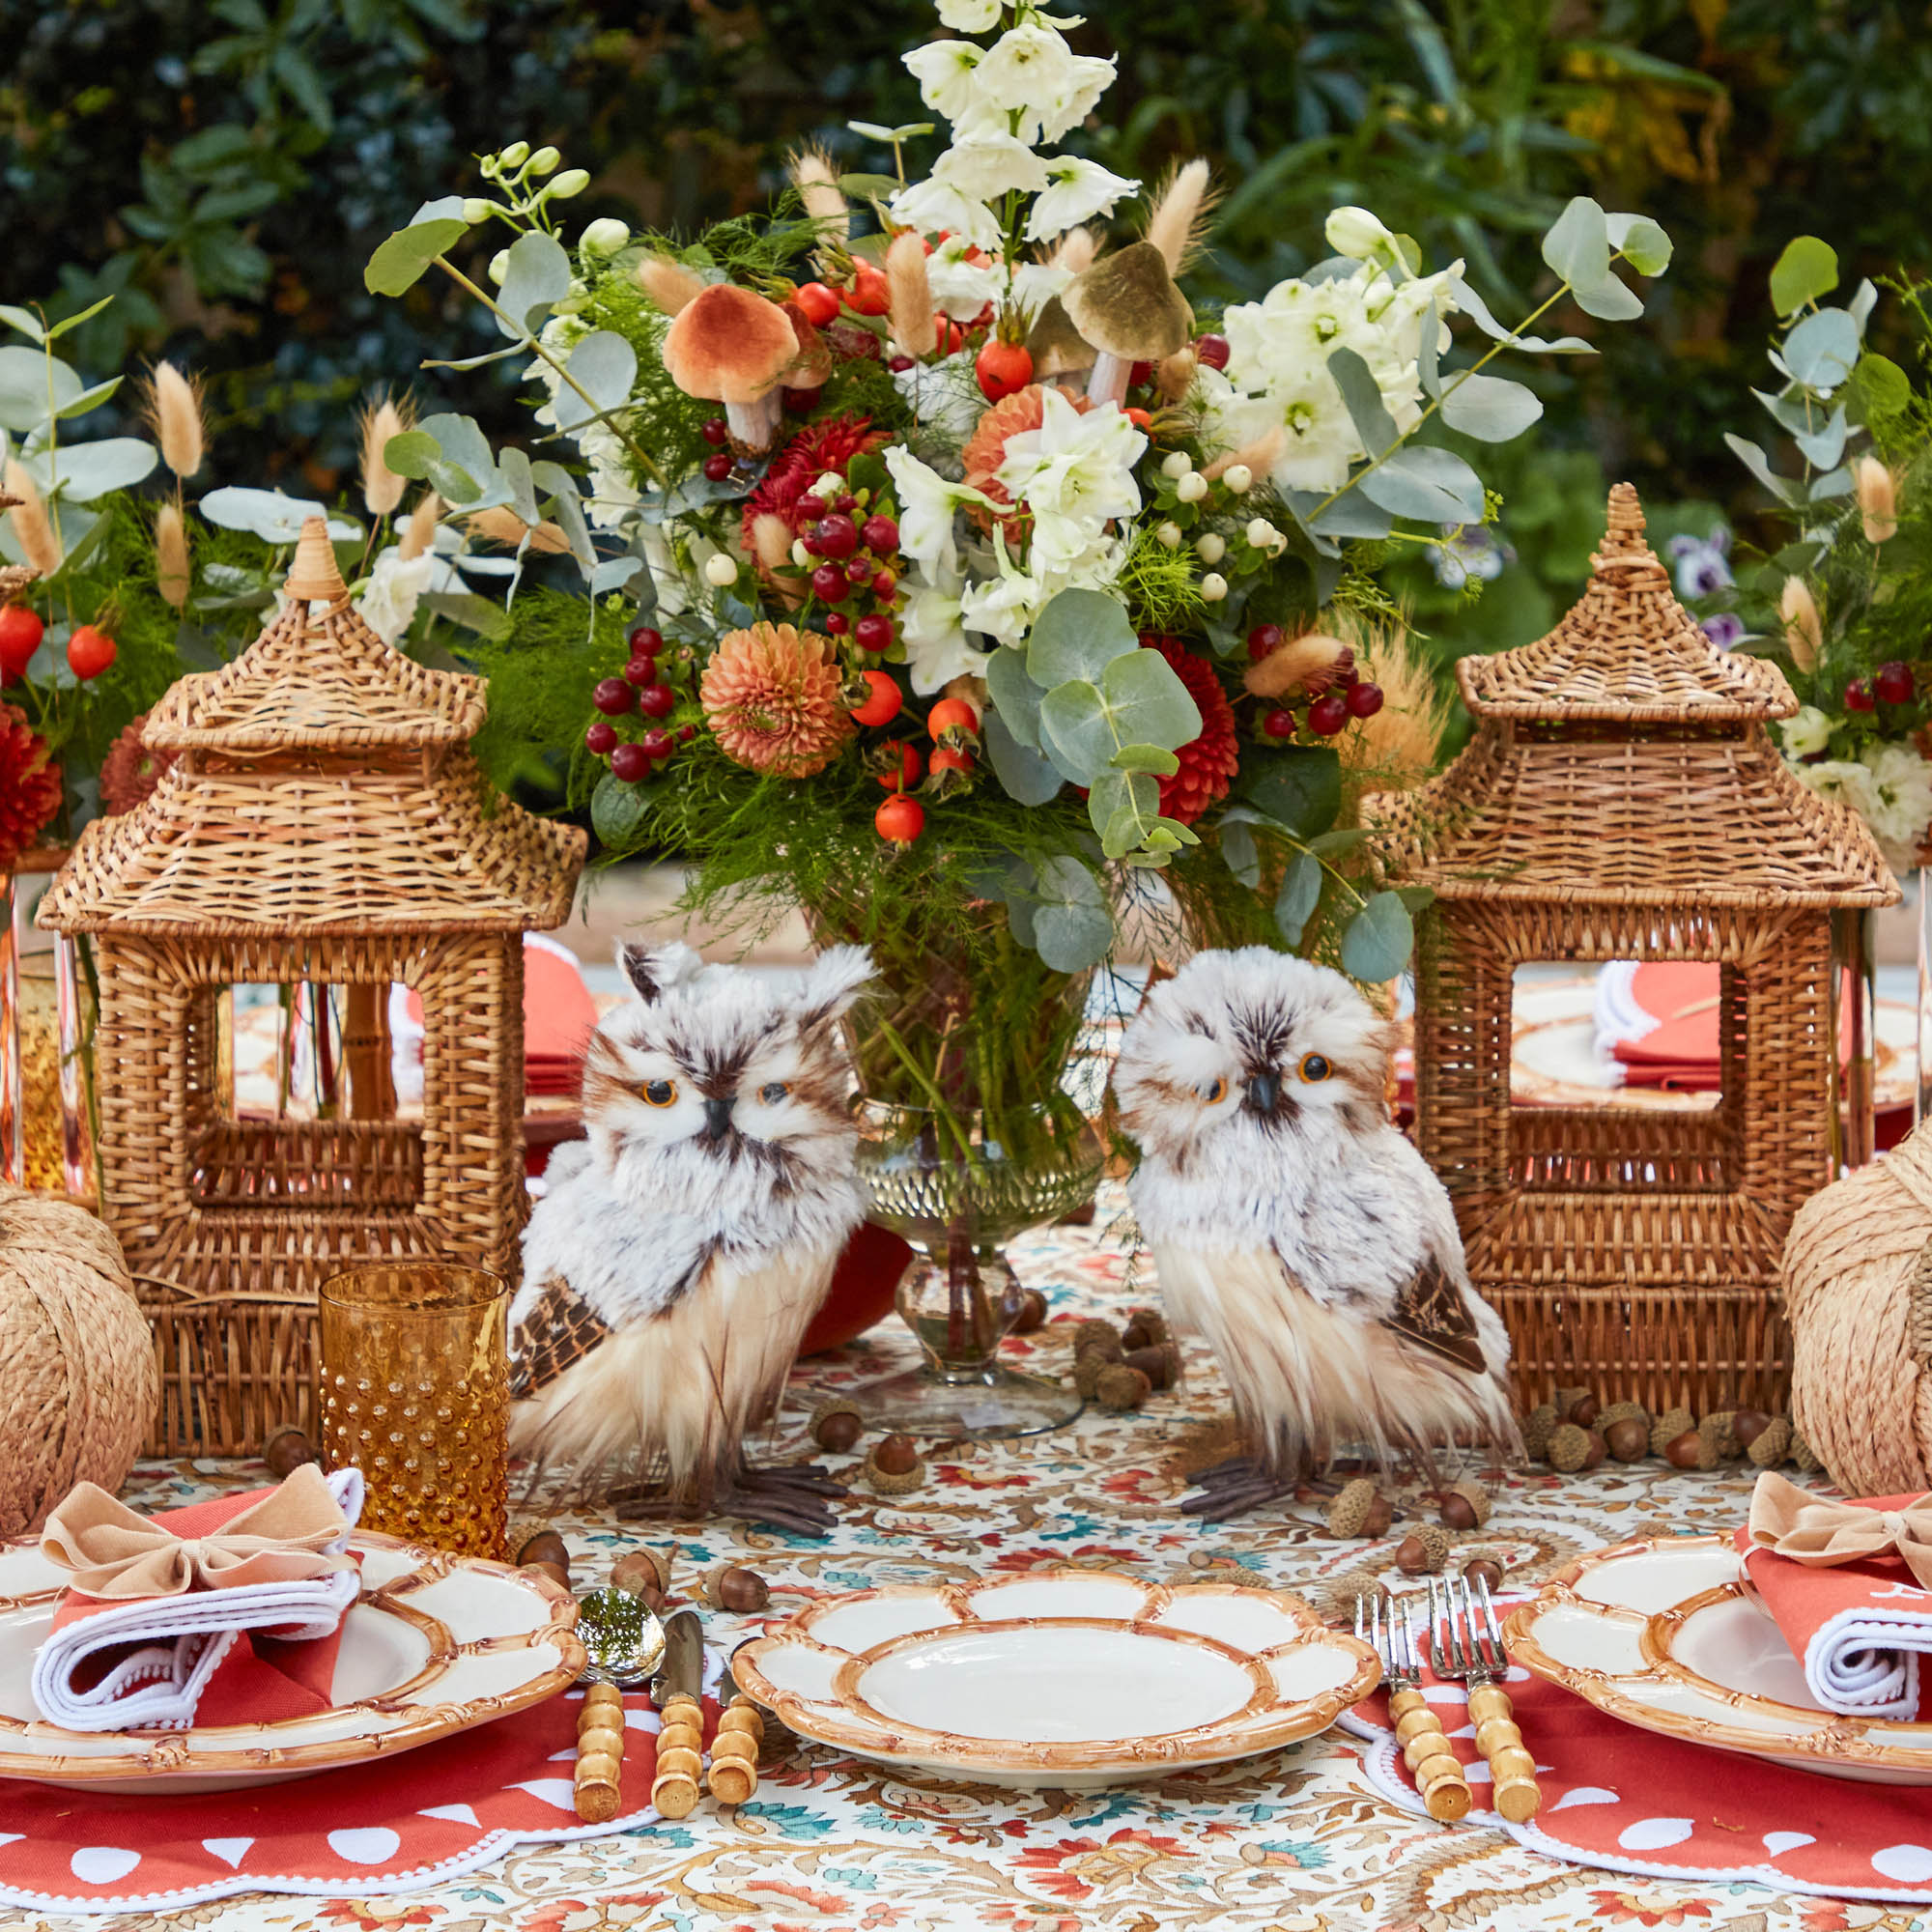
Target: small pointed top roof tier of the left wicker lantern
x,y
316,681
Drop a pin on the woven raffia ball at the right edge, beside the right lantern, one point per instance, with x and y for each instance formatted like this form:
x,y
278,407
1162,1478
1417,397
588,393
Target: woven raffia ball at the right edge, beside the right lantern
x,y
1858,1288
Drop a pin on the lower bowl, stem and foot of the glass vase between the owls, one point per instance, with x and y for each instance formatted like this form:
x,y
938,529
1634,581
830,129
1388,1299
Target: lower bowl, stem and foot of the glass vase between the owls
x,y
959,1199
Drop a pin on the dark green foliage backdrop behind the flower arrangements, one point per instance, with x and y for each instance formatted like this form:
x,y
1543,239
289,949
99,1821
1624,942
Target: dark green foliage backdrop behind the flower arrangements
x,y
229,167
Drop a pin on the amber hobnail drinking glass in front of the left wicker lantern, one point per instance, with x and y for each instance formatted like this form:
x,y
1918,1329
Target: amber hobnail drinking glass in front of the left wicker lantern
x,y
416,1394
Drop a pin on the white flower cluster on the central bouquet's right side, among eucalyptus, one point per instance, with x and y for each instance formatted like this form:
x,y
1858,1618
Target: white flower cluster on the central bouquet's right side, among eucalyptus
x,y
1278,376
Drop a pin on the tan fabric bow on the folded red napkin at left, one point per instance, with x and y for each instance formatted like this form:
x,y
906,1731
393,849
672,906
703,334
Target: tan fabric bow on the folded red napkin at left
x,y
119,1554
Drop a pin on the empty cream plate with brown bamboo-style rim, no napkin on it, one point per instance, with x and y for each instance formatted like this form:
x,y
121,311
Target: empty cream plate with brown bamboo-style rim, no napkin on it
x,y
1067,1678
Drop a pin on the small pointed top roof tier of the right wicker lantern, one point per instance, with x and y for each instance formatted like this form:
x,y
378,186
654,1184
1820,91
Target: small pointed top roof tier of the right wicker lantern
x,y
1626,652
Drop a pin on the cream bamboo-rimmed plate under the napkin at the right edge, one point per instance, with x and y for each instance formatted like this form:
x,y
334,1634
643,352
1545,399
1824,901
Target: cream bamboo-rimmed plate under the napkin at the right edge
x,y
1664,1635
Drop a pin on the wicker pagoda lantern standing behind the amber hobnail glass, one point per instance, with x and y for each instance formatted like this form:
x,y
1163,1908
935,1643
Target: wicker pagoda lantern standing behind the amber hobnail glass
x,y
324,826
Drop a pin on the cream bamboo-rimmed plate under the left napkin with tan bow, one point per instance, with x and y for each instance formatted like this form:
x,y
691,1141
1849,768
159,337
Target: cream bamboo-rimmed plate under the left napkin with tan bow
x,y
434,1645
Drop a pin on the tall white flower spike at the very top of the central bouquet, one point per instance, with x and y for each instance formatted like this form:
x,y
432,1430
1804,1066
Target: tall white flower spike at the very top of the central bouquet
x,y
1004,101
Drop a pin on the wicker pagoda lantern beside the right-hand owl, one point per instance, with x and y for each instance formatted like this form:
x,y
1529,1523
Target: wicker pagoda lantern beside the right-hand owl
x,y
1624,801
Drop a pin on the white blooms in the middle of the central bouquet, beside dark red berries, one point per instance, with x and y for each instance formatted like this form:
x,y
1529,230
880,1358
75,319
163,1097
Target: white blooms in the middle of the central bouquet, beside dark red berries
x,y
1075,476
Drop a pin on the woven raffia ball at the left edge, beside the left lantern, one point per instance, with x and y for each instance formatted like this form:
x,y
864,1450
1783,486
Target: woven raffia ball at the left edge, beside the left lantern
x,y
80,1384
